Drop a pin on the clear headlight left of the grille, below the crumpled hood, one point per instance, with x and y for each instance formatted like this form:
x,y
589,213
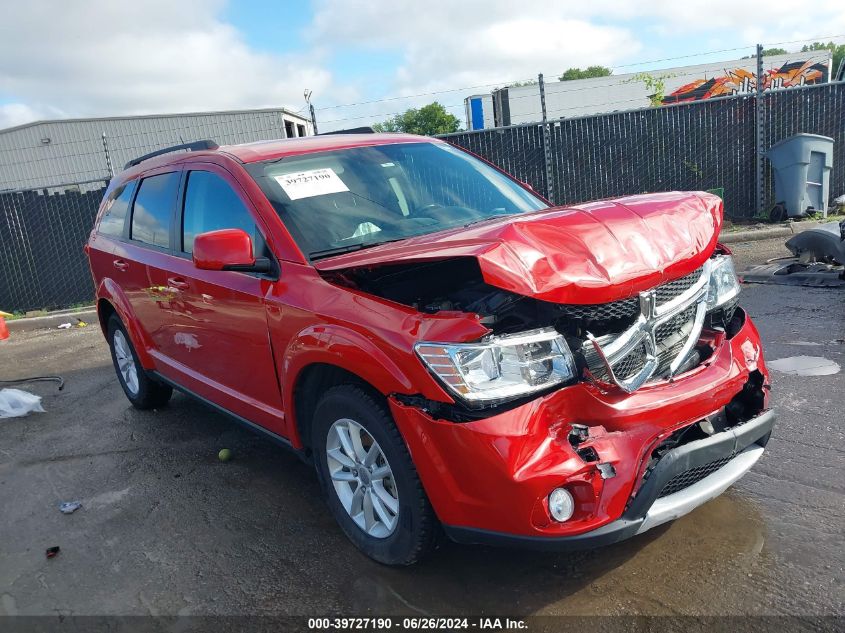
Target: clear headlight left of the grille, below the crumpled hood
x,y
501,367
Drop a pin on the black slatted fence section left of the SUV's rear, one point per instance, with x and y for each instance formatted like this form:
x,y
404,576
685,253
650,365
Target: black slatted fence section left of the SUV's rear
x,y
42,232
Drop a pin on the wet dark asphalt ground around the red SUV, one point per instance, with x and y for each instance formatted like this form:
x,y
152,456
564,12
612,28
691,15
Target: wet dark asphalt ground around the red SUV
x,y
166,528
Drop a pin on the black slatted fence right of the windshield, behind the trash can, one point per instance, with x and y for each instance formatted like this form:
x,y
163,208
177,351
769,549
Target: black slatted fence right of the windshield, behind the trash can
x,y
708,144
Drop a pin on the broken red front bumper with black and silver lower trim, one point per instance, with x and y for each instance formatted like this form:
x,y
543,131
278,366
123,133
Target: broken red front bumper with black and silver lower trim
x,y
488,480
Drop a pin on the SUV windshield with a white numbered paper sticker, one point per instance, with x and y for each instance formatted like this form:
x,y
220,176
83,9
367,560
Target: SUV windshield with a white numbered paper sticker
x,y
338,201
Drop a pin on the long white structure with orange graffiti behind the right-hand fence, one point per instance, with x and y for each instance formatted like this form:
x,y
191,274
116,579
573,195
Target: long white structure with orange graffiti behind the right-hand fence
x,y
600,95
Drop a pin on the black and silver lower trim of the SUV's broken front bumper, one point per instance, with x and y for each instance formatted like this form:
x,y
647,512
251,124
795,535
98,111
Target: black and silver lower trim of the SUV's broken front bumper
x,y
648,509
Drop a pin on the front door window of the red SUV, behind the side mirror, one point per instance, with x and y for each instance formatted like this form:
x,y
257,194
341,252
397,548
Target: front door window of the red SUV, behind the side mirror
x,y
211,204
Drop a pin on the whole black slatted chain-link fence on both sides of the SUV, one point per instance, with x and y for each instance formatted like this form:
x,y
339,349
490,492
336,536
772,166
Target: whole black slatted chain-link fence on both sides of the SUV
x,y
706,144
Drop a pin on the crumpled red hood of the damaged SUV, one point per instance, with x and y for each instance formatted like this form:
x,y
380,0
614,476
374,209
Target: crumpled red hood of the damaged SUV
x,y
588,253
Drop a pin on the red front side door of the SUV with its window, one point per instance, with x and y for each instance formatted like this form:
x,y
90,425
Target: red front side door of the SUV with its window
x,y
216,338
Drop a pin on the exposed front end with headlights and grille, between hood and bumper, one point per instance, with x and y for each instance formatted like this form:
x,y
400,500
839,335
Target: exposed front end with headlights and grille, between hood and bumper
x,y
536,346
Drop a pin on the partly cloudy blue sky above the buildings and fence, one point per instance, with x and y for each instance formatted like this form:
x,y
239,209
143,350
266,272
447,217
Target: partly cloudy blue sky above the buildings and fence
x,y
364,61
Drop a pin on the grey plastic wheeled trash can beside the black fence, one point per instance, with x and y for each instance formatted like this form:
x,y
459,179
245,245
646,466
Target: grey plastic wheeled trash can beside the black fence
x,y
801,166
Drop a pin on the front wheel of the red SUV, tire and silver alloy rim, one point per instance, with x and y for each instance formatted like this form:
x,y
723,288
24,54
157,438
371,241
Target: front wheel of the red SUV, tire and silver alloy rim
x,y
370,482
